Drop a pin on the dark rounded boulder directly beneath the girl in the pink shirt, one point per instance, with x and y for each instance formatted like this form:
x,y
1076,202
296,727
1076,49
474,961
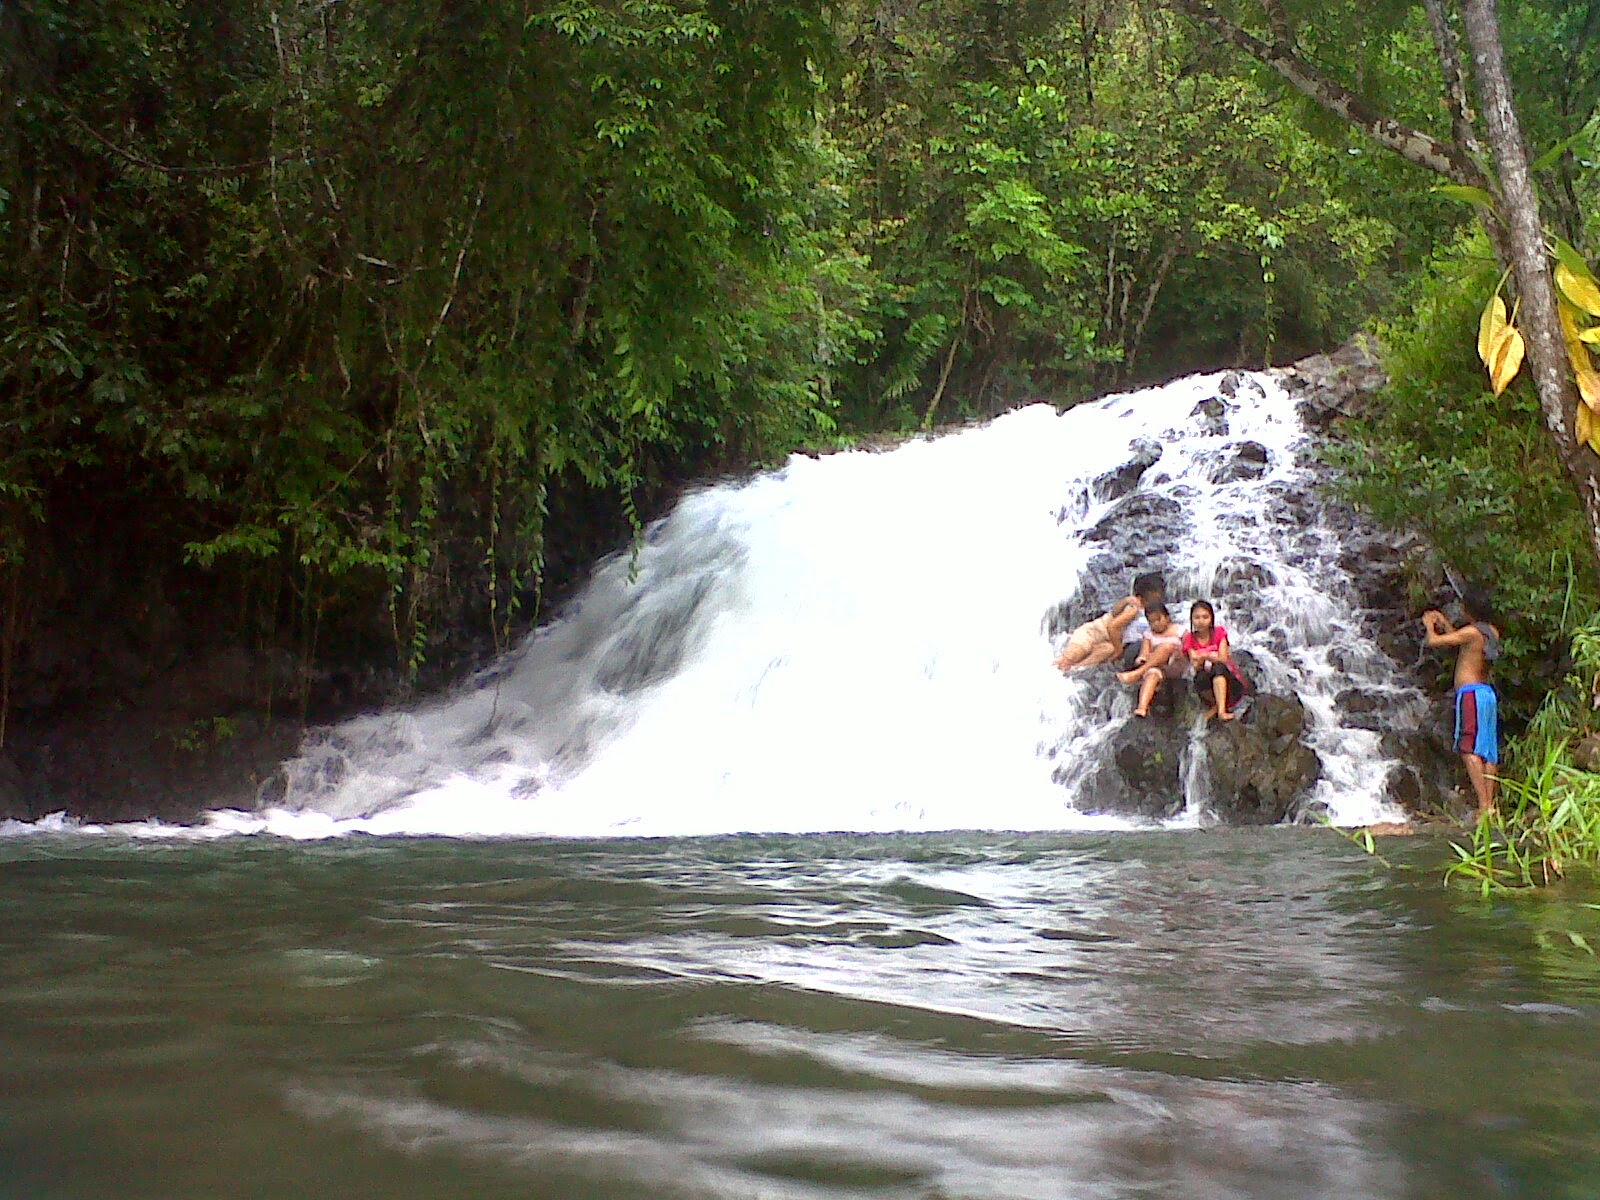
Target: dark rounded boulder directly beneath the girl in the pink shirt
x,y
1258,767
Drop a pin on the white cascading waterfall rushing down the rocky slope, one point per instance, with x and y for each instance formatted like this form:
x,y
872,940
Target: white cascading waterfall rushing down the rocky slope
x,y
865,641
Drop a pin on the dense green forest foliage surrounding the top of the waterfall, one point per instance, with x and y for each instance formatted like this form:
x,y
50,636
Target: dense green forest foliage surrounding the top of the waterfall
x,y
351,332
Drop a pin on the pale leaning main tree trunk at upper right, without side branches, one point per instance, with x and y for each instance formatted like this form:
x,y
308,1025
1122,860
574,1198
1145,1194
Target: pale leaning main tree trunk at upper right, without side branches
x,y
1530,262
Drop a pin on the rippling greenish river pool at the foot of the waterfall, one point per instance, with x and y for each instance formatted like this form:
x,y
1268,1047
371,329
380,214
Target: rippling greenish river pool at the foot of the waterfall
x,y
1222,1014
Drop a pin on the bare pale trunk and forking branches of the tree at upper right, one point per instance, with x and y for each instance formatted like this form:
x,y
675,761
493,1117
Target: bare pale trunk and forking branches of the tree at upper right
x,y
1516,226
